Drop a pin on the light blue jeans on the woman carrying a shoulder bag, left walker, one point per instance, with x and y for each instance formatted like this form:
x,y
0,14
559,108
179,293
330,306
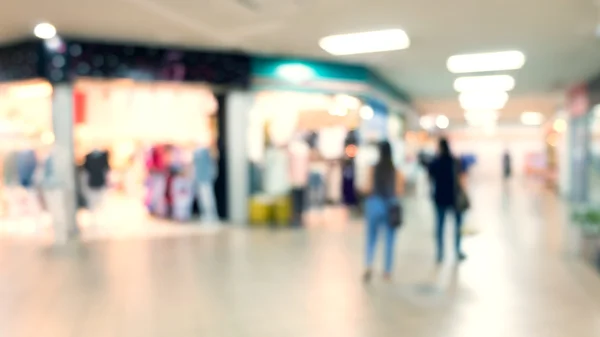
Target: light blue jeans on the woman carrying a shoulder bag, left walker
x,y
376,213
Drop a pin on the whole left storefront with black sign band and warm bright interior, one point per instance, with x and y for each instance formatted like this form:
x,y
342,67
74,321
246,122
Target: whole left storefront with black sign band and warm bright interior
x,y
119,120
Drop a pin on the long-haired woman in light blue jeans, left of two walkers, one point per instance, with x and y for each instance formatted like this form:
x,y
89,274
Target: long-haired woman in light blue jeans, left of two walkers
x,y
383,186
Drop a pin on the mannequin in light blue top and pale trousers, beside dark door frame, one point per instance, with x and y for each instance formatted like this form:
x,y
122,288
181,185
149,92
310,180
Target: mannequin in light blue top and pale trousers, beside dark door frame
x,y
205,174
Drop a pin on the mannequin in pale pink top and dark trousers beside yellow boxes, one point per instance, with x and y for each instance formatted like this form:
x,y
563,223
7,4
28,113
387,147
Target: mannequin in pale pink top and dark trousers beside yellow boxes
x,y
299,171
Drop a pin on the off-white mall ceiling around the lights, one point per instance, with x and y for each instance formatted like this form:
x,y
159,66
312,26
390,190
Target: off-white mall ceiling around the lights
x,y
557,36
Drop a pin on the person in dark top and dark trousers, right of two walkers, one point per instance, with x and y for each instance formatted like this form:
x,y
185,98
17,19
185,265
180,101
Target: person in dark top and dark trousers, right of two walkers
x,y
448,177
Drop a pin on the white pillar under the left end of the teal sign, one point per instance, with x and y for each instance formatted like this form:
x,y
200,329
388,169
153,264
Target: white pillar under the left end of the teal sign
x,y
238,110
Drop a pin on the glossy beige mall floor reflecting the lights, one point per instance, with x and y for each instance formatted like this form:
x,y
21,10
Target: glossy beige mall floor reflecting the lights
x,y
521,280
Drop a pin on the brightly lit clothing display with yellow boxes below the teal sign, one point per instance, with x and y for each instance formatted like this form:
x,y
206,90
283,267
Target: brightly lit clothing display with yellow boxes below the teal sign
x,y
296,148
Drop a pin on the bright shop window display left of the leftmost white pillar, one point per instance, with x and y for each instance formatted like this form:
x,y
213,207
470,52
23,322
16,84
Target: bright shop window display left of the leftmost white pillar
x,y
27,201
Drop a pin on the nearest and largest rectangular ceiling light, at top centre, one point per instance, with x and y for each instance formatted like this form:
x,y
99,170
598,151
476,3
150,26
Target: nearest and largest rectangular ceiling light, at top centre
x,y
367,42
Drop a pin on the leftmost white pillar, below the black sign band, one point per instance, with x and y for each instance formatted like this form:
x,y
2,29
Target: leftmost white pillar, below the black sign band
x,y
65,225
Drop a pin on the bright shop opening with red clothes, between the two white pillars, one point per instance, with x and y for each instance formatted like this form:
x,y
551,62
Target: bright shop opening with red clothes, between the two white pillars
x,y
146,154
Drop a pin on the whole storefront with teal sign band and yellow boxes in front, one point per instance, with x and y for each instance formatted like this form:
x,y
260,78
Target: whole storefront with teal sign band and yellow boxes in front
x,y
309,129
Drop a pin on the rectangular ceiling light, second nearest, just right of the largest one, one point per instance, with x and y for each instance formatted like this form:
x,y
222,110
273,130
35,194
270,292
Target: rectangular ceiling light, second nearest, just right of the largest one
x,y
471,63
